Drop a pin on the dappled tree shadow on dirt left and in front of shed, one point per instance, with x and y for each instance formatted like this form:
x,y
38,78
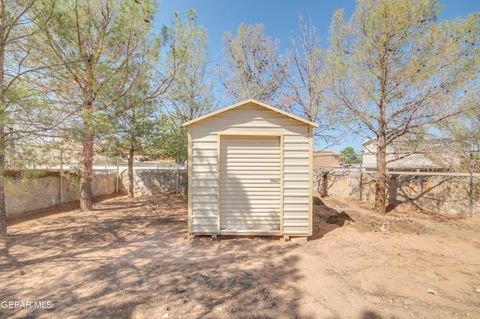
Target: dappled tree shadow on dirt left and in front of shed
x,y
138,262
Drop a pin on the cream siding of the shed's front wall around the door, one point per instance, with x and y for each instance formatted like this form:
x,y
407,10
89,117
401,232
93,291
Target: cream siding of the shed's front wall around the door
x,y
250,118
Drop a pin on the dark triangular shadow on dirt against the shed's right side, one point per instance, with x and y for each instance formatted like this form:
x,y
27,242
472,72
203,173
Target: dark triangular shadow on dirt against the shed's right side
x,y
326,219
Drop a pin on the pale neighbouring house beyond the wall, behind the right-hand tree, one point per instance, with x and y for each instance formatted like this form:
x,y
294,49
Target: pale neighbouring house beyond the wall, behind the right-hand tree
x,y
427,156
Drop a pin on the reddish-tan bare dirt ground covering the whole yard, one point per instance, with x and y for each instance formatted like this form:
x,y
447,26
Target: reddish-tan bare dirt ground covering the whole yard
x,y
134,259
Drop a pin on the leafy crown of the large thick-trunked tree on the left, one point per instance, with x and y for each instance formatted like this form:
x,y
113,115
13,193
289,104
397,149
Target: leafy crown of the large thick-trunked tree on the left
x,y
97,51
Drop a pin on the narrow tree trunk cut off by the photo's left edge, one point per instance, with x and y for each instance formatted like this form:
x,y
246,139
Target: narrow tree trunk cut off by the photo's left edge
x,y
3,208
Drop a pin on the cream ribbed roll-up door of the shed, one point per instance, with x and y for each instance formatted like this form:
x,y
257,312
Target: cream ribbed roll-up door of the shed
x,y
250,184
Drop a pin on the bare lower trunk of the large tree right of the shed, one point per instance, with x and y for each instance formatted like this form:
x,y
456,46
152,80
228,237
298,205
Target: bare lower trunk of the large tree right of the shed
x,y
381,179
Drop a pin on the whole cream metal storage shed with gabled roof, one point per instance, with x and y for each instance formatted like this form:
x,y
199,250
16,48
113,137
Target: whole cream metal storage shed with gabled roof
x,y
250,172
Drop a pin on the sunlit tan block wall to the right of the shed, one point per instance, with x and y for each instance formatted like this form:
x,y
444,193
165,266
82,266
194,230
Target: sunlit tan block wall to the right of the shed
x,y
438,194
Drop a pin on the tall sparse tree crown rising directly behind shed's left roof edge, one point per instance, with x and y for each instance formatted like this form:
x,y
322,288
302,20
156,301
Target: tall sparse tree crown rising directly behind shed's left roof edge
x,y
191,92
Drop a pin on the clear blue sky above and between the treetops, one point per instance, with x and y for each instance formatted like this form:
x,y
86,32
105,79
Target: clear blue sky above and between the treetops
x,y
280,18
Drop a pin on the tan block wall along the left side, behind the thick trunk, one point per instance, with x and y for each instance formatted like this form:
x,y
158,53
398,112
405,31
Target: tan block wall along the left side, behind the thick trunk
x,y
37,193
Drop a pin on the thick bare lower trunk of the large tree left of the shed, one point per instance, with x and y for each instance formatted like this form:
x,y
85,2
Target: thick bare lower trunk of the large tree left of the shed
x,y
86,174
